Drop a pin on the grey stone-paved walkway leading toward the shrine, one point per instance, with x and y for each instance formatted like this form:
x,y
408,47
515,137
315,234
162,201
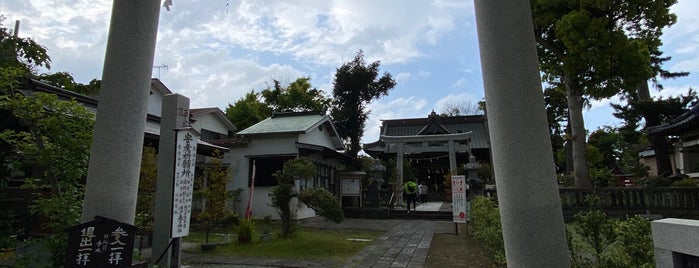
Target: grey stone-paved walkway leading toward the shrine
x,y
405,243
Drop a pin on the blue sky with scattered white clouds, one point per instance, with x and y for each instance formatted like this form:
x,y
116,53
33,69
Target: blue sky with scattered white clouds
x,y
214,52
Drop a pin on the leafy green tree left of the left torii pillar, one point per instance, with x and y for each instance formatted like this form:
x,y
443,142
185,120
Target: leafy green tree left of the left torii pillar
x,y
53,150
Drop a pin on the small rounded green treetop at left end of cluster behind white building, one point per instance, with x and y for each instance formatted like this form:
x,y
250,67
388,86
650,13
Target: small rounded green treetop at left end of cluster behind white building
x,y
248,110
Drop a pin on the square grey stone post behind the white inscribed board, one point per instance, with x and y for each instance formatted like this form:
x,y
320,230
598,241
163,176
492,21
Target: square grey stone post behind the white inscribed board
x,y
175,115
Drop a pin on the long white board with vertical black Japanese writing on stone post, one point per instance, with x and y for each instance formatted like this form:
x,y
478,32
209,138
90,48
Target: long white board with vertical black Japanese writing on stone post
x,y
183,185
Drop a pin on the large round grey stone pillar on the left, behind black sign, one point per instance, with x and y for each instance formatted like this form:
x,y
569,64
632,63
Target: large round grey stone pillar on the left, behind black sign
x,y
117,143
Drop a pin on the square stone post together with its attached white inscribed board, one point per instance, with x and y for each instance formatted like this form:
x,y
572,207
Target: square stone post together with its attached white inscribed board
x,y
173,196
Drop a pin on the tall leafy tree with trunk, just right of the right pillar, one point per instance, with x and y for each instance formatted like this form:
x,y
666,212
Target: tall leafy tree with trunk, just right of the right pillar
x,y
596,49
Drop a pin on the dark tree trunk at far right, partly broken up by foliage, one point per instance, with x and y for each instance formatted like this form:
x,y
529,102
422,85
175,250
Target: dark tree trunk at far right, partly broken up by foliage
x,y
659,143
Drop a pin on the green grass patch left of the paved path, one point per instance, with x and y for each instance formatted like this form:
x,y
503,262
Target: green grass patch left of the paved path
x,y
305,244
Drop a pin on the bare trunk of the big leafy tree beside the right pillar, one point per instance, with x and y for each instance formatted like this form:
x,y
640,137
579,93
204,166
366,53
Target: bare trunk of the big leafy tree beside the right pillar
x,y
577,131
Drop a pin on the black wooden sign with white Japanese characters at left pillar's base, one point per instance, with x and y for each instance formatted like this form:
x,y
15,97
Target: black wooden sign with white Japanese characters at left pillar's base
x,y
100,243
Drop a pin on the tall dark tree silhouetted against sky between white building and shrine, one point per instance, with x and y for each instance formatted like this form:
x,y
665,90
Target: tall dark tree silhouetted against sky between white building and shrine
x,y
356,84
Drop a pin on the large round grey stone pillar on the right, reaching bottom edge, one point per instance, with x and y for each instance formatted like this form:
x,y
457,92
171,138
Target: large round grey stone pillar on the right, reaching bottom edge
x,y
530,206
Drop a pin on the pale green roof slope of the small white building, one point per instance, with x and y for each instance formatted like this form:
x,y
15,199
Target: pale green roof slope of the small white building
x,y
284,124
